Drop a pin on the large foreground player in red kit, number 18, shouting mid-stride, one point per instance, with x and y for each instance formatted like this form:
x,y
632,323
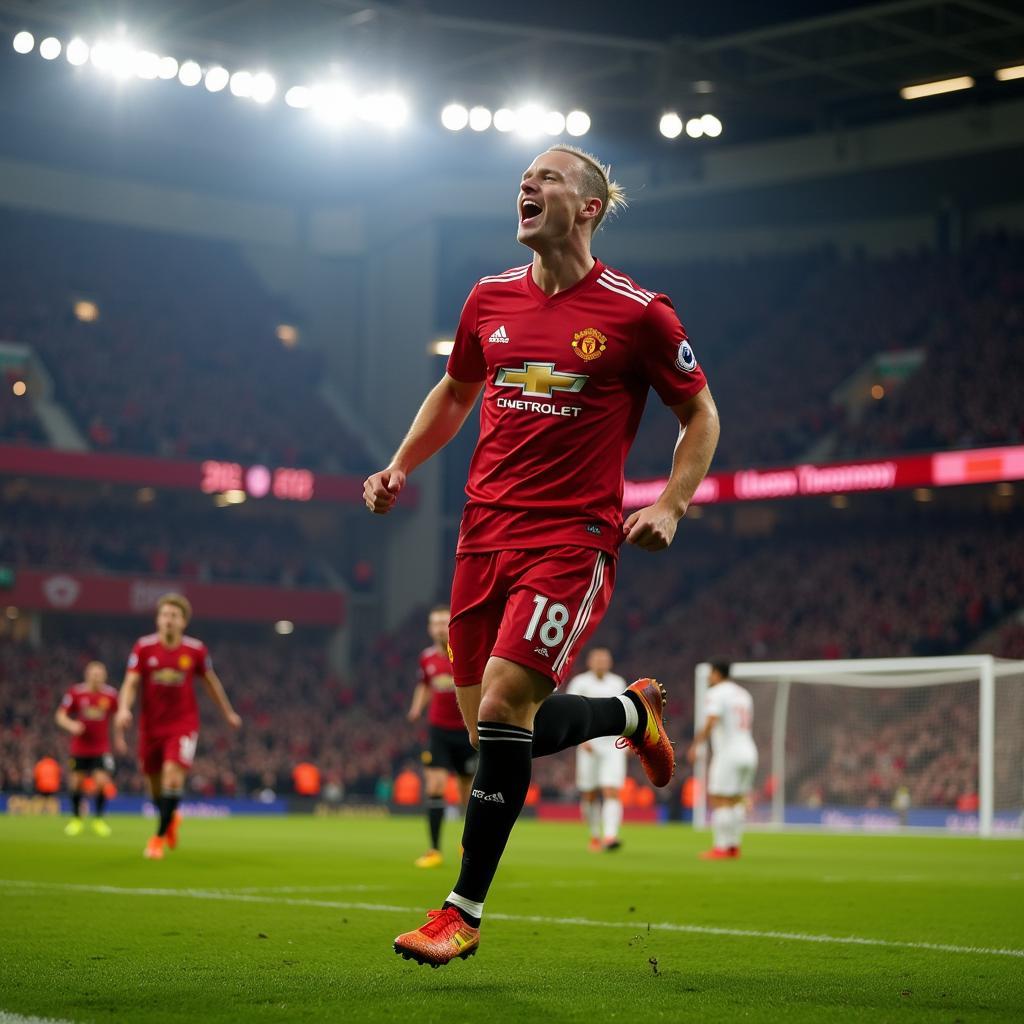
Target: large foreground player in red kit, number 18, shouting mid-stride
x,y
566,351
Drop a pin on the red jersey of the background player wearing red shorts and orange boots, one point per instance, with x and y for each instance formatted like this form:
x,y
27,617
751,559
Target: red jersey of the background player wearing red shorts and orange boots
x,y
168,705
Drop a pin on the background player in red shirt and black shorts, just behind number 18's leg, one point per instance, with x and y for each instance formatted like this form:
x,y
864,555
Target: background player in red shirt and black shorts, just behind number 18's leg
x,y
450,749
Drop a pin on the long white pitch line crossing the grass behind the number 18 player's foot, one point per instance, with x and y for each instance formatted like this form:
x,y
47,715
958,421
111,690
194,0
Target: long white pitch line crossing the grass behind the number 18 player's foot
x,y
662,926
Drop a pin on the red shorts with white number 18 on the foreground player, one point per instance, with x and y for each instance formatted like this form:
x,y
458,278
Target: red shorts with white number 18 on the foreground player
x,y
537,608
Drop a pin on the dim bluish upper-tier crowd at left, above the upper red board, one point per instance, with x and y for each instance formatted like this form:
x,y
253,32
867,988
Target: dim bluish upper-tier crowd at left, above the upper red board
x,y
184,359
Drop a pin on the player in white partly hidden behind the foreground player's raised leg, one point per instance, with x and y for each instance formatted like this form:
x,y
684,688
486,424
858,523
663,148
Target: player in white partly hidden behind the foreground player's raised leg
x,y
601,764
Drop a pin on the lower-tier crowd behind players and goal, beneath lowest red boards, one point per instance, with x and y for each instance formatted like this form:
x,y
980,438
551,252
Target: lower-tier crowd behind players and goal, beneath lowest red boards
x,y
804,594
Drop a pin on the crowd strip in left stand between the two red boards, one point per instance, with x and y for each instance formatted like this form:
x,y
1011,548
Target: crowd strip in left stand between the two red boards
x,y
170,539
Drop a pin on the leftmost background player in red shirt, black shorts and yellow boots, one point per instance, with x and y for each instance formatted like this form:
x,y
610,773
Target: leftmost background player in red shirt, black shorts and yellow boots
x,y
86,712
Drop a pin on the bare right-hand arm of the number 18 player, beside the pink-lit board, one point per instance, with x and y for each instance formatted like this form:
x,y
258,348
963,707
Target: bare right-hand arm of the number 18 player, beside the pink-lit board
x,y
655,527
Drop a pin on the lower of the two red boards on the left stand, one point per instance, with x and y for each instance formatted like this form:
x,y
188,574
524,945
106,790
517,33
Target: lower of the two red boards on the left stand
x,y
38,590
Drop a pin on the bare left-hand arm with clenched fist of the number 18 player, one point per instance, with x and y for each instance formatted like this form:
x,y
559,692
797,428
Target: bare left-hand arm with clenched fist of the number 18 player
x,y
440,419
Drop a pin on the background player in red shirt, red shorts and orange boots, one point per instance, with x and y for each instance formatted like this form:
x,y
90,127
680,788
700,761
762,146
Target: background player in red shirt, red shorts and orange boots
x,y
166,663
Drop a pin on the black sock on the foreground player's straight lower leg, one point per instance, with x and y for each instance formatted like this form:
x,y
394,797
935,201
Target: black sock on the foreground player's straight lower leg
x,y
499,793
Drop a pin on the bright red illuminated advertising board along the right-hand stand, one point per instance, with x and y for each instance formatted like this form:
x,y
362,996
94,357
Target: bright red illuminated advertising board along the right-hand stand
x,y
938,470
